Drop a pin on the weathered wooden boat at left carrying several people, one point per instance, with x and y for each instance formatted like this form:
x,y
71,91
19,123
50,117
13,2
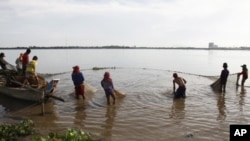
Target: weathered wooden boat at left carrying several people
x,y
16,88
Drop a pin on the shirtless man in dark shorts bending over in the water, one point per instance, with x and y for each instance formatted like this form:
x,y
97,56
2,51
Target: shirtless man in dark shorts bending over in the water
x,y
181,91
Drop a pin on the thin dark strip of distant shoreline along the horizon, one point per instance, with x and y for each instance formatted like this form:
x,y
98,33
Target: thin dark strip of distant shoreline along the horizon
x,y
125,47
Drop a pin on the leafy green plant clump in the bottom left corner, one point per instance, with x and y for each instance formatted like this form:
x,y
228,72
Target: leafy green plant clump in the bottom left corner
x,y
9,132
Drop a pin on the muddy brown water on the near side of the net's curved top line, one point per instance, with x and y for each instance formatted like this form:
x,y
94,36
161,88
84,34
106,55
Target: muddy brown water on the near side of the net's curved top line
x,y
148,112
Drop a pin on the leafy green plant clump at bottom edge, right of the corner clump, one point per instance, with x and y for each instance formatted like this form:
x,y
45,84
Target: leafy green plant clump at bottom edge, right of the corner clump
x,y
70,135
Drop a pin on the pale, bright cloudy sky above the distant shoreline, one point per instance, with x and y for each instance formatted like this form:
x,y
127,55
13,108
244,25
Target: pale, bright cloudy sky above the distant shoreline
x,y
140,23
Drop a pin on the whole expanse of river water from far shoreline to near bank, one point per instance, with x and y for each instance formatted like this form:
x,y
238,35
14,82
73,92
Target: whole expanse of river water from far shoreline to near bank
x,y
148,112
